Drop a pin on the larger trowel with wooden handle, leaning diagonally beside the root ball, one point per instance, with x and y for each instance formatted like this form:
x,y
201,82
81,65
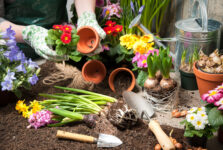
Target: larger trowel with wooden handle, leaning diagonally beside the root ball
x,y
143,108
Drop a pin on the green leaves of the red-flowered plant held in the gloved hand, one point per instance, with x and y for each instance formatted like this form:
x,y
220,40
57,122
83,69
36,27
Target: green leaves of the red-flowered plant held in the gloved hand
x,y
54,40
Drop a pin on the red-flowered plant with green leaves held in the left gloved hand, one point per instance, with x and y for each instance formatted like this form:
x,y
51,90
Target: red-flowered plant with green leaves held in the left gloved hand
x,y
64,39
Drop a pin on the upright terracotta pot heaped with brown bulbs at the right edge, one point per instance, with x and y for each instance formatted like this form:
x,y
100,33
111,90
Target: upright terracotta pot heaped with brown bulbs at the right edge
x,y
208,71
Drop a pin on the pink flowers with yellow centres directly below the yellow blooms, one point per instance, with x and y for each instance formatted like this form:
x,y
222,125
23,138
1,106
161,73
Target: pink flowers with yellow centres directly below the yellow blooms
x,y
141,59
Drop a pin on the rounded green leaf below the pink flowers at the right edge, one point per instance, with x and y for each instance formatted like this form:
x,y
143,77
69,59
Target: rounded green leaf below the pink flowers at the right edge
x,y
215,117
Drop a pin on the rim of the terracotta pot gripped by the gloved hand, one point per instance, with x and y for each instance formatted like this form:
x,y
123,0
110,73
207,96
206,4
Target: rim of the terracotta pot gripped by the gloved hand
x,y
97,39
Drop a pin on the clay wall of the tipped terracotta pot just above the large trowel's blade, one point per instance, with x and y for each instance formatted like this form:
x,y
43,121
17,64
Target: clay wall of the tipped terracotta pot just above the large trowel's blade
x,y
113,75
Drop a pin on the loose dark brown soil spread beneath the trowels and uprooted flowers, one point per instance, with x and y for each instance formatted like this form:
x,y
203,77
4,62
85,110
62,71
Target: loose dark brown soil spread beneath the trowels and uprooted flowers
x,y
15,136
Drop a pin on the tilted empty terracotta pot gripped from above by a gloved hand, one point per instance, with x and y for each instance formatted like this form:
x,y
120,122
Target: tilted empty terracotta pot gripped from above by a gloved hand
x,y
89,40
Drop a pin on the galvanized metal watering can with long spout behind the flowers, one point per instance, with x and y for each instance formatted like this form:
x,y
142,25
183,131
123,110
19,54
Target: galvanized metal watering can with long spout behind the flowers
x,y
192,33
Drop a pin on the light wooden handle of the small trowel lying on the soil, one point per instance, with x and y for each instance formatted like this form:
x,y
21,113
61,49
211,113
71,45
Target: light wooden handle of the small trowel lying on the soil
x,y
76,137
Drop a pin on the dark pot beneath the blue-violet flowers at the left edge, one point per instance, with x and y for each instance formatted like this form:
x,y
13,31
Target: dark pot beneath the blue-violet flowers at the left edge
x,y
7,97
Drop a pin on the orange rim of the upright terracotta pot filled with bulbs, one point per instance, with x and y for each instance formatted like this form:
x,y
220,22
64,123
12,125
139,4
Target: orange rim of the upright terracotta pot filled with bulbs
x,y
206,76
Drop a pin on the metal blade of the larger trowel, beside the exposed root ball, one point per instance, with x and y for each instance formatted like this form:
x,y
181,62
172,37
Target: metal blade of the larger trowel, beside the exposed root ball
x,y
138,103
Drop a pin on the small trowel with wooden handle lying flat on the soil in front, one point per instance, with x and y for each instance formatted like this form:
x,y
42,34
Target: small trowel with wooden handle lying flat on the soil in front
x,y
104,140
